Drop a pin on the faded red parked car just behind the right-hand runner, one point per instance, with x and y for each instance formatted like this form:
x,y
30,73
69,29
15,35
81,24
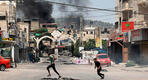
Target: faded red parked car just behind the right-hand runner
x,y
104,59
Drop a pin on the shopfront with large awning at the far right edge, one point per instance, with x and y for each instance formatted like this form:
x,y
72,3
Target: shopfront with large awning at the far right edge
x,y
140,37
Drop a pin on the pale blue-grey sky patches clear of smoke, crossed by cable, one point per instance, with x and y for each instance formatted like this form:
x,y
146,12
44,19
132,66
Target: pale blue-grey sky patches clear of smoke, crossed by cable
x,y
93,14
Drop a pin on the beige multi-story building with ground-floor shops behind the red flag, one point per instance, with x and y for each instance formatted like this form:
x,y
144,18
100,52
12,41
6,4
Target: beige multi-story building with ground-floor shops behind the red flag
x,y
131,45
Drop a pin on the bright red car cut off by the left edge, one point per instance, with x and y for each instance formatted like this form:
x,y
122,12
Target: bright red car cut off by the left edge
x,y
4,63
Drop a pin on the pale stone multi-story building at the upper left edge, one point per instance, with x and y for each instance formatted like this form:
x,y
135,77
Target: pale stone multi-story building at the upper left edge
x,y
7,17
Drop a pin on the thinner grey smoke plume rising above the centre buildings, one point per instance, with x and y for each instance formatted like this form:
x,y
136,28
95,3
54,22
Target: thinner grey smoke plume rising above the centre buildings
x,y
74,15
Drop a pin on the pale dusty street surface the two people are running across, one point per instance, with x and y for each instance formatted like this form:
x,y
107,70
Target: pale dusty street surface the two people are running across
x,y
37,71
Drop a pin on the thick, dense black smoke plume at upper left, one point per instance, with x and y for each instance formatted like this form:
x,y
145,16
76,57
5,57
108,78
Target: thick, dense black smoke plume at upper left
x,y
33,9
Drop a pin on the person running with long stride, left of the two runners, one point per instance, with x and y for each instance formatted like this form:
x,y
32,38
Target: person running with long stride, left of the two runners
x,y
52,65
